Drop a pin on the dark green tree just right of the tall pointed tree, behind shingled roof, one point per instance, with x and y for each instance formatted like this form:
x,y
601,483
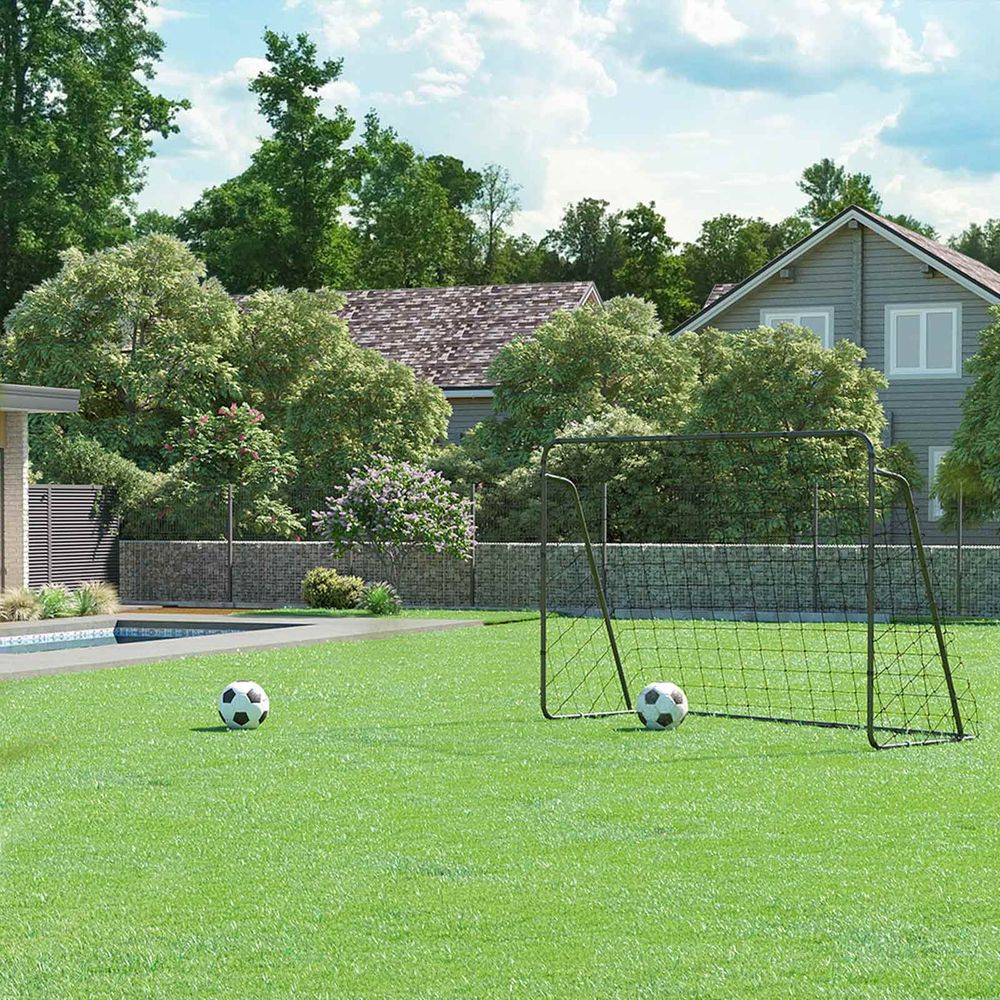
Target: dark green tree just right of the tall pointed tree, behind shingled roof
x,y
404,224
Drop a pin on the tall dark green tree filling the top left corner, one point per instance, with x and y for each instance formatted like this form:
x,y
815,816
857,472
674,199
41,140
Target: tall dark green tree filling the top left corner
x,y
76,127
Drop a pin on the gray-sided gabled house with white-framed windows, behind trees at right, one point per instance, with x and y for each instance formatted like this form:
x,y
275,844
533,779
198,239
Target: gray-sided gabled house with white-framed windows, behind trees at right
x,y
915,306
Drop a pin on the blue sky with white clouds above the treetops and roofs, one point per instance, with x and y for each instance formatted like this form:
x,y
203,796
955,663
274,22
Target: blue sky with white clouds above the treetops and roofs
x,y
704,106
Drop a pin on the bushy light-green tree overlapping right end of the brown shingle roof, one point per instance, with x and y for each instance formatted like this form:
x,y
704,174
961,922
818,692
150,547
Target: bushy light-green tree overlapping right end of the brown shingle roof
x,y
576,365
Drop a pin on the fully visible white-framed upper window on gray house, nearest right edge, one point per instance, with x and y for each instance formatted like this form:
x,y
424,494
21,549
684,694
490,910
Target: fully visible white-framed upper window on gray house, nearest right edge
x,y
923,340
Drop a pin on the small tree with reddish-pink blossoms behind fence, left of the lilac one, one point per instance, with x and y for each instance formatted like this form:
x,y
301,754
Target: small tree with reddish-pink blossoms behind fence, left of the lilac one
x,y
232,446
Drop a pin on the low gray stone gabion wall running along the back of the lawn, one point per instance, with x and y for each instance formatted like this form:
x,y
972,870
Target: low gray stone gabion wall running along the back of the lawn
x,y
506,575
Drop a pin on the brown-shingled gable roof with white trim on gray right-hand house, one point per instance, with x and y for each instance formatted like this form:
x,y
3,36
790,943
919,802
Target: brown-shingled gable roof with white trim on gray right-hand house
x,y
971,274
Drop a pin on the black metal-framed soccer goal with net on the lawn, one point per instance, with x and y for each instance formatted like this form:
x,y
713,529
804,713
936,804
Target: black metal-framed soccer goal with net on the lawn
x,y
774,576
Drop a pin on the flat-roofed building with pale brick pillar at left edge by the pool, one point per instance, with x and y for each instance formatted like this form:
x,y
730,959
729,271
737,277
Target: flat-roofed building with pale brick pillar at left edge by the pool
x,y
17,402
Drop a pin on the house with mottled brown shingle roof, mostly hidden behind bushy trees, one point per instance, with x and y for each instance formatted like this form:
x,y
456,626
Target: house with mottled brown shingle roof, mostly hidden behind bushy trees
x,y
451,335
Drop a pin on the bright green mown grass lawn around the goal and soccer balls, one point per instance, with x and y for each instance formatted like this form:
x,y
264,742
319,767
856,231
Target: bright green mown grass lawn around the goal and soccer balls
x,y
406,825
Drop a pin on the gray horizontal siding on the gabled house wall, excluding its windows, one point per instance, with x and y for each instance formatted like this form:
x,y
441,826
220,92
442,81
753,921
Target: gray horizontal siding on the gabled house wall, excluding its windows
x,y
859,273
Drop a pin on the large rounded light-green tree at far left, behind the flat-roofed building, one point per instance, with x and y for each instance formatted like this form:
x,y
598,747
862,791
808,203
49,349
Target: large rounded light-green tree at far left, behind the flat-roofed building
x,y
139,331
